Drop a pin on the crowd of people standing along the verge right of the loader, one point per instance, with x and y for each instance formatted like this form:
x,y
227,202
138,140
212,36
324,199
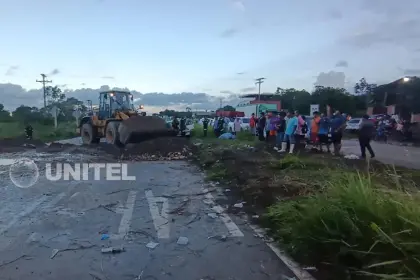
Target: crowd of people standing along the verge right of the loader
x,y
288,130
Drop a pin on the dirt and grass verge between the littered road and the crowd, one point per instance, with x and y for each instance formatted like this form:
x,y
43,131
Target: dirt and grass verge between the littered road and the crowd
x,y
330,213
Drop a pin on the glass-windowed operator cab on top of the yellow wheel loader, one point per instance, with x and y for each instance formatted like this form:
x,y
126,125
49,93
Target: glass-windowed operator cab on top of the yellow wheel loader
x,y
110,101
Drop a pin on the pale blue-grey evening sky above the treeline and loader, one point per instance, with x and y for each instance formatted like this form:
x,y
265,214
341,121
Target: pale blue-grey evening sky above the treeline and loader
x,y
216,47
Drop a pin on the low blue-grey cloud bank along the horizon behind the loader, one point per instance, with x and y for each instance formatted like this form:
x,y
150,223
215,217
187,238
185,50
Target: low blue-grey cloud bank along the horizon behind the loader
x,y
14,96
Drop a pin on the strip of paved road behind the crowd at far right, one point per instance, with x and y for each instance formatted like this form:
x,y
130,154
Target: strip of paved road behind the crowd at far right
x,y
390,154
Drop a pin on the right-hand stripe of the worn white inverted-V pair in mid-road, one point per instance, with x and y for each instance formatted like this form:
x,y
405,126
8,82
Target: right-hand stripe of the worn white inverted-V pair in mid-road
x,y
160,220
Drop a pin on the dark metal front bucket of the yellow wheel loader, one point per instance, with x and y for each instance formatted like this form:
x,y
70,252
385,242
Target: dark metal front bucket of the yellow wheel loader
x,y
141,128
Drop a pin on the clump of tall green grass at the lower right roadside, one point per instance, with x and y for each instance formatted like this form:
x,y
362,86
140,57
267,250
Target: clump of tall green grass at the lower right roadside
x,y
354,225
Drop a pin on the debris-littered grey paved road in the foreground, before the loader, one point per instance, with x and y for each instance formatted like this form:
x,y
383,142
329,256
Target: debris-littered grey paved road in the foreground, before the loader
x,y
161,205
